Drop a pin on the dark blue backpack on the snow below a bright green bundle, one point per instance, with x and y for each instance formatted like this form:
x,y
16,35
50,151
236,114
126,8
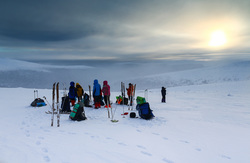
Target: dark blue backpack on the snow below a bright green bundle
x,y
144,111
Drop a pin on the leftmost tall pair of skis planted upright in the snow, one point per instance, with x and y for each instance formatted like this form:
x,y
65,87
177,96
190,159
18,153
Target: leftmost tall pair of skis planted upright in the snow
x,y
55,90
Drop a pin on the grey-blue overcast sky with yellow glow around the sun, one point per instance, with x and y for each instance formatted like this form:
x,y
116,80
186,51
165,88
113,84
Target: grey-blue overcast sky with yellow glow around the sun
x,y
123,29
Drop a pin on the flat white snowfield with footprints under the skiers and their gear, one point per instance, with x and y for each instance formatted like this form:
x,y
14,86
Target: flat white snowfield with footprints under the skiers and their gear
x,y
207,123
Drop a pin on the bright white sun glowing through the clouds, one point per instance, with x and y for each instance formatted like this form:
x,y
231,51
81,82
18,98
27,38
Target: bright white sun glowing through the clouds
x,y
218,38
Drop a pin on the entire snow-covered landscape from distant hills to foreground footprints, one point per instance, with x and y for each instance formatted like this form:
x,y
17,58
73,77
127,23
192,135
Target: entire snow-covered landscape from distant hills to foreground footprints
x,y
206,118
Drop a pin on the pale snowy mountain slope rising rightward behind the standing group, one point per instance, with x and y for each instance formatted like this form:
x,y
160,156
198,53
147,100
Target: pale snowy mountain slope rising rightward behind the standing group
x,y
238,71
